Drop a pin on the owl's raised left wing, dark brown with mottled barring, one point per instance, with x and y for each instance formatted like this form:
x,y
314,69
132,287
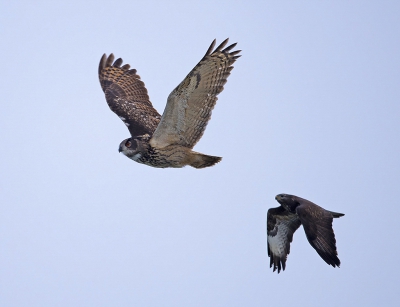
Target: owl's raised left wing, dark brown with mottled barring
x,y
127,96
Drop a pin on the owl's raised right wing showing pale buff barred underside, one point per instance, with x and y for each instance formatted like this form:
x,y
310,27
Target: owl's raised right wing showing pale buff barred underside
x,y
190,104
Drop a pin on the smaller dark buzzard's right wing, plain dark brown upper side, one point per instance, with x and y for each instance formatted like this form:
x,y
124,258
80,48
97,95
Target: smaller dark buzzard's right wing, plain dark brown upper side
x,y
317,223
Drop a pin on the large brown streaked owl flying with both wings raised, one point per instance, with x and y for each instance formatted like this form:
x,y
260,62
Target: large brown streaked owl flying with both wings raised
x,y
167,140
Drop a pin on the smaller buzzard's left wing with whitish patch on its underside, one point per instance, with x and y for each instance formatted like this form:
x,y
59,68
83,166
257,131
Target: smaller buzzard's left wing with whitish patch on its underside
x,y
281,226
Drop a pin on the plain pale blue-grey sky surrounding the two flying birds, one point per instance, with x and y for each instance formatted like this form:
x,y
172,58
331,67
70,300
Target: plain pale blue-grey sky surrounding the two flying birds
x,y
311,109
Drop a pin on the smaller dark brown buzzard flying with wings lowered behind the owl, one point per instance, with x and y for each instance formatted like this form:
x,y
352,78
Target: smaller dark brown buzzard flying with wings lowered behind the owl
x,y
283,221
